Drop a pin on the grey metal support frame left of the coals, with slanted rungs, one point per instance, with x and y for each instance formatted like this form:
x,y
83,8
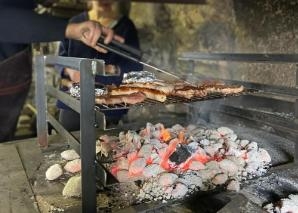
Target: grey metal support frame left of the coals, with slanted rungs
x,y
91,170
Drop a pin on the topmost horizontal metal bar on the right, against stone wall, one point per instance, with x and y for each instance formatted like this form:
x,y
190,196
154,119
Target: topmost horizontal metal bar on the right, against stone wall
x,y
240,57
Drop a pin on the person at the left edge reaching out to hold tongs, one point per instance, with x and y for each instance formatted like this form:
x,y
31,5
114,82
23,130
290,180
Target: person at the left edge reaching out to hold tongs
x,y
20,26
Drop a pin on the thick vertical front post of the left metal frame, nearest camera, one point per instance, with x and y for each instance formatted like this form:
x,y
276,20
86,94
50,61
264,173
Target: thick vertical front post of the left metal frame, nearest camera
x,y
87,137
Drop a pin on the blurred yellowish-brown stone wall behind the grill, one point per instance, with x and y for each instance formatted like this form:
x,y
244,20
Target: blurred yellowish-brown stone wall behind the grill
x,y
265,26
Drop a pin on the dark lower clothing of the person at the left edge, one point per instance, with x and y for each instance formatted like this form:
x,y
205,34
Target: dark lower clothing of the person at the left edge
x,y
15,80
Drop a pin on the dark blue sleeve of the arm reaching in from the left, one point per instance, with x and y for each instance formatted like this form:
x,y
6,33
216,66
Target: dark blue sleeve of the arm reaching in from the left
x,y
25,26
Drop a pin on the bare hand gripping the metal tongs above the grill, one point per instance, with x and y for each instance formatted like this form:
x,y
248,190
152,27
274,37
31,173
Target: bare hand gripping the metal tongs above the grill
x,y
89,33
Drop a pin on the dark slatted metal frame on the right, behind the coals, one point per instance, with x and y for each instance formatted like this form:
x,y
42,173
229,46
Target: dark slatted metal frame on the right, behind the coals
x,y
285,128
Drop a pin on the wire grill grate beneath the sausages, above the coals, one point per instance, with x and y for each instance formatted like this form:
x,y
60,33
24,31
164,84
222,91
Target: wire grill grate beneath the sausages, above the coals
x,y
171,100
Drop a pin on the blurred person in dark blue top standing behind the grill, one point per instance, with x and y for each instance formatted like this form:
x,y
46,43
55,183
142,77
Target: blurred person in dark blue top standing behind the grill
x,y
108,14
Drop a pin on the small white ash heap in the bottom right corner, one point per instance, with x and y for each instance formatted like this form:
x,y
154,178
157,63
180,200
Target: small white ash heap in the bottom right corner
x,y
285,205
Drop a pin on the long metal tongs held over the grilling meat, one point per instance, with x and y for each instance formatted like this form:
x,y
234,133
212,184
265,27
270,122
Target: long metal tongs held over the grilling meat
x,y
132,54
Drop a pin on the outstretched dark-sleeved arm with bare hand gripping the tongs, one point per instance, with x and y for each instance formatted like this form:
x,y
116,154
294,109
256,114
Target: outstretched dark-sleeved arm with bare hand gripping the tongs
x,y
25,26
